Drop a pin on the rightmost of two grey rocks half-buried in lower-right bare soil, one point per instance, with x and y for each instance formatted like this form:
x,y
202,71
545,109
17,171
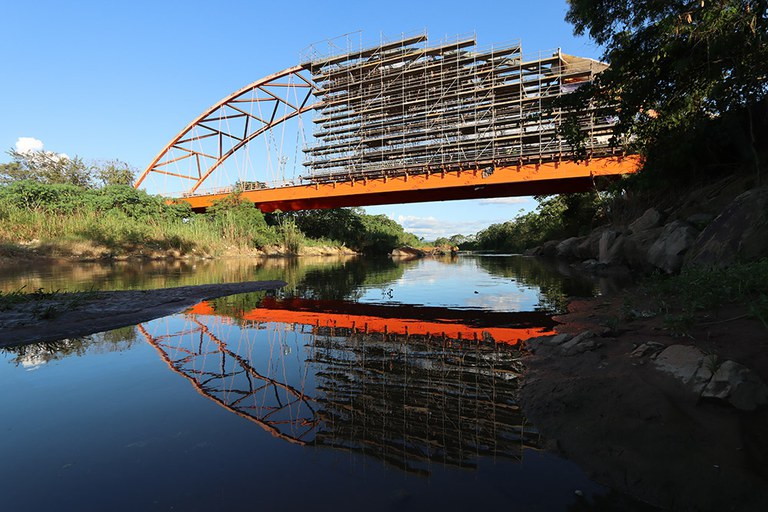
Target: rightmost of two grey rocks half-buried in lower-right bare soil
x,y
737,385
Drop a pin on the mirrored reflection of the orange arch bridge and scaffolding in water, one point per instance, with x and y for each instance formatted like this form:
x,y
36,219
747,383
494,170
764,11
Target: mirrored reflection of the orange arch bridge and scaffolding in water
x,y
373,379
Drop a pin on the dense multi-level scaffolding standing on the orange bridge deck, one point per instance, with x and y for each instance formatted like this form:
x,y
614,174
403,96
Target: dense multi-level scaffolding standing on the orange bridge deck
x,y
407,108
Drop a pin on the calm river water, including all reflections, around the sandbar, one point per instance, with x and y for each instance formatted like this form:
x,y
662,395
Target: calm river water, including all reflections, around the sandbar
x,y
363,384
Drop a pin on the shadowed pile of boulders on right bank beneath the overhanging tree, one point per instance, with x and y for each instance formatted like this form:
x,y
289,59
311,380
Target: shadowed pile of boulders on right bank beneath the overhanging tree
x,y
667,241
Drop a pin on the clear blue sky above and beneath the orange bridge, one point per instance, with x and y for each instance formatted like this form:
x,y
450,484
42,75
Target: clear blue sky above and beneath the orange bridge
x,y
104,80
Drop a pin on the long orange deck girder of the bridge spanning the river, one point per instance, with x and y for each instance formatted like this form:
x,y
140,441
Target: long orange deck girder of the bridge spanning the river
x,y
545,178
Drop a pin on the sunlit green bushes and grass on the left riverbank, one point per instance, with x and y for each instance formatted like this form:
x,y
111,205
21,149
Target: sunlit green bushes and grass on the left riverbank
x,y
62,207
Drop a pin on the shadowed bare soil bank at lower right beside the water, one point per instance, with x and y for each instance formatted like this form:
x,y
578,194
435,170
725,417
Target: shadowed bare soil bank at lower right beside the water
x,y
642,432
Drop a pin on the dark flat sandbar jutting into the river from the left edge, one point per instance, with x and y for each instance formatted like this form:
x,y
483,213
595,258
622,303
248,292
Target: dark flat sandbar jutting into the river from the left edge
x,y
78,314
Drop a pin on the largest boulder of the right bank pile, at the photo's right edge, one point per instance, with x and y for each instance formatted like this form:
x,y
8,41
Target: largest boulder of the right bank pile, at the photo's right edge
x,y
739,233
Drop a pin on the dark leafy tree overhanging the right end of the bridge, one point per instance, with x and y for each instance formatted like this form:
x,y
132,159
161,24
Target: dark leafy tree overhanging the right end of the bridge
x,y
687,79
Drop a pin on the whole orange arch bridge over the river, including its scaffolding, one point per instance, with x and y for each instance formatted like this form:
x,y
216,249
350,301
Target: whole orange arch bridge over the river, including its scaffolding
x,y
399,122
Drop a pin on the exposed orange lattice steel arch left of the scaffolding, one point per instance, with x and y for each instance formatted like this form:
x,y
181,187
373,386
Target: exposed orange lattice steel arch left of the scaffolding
x,y
268,90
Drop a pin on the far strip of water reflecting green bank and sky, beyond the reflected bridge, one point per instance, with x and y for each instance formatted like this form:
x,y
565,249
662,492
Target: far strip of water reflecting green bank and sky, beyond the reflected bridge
x,y
477,282
